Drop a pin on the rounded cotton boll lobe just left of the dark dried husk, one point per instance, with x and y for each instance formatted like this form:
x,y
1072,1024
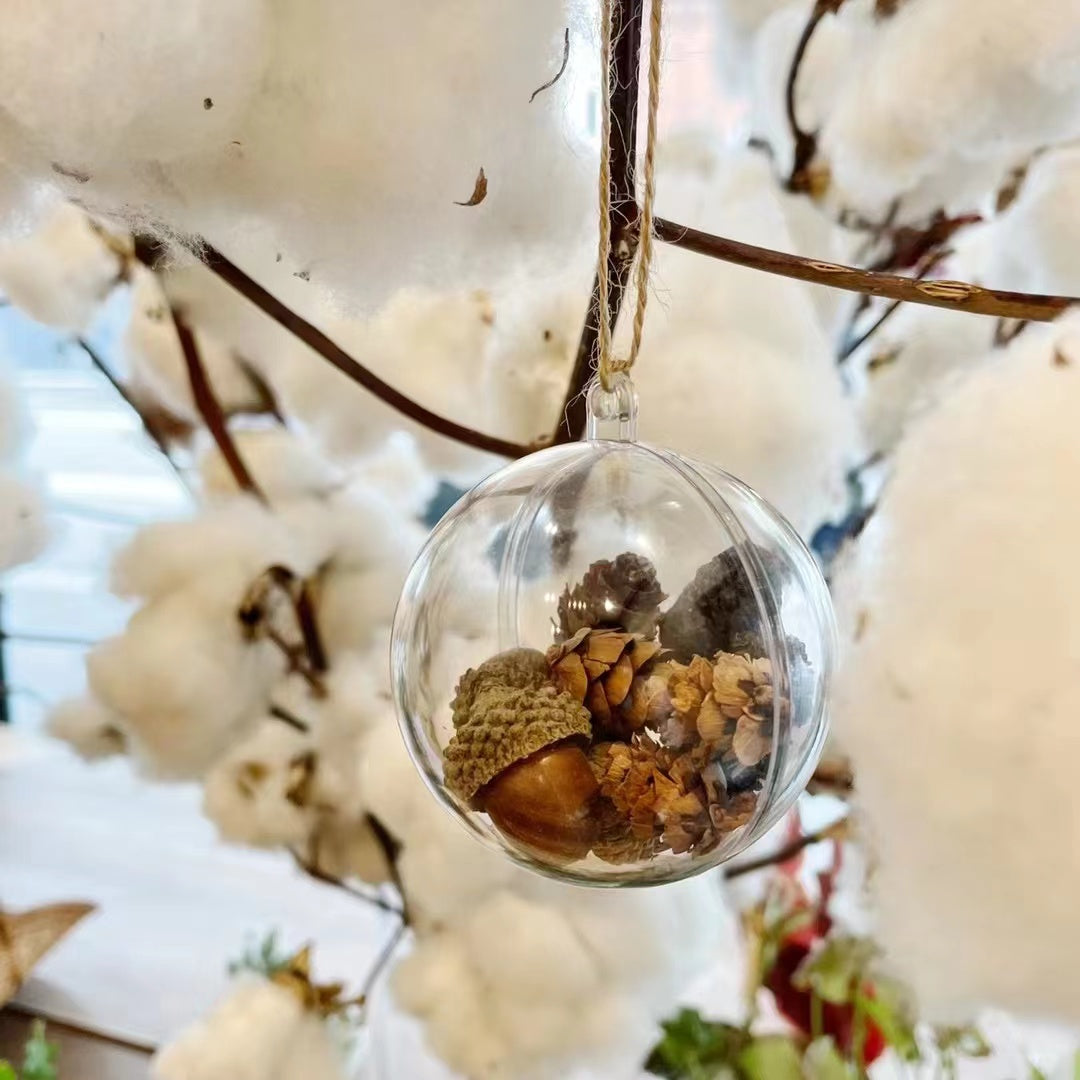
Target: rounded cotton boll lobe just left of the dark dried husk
x,y
184,679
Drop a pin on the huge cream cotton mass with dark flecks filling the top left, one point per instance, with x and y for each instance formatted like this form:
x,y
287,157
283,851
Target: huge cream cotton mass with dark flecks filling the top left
x,y
273,121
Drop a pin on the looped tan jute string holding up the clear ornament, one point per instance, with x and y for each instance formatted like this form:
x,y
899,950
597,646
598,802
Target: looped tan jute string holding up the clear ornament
x,y
609,366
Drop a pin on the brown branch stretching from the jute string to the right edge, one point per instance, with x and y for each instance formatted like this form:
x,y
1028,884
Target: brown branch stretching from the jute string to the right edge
x,y
954,295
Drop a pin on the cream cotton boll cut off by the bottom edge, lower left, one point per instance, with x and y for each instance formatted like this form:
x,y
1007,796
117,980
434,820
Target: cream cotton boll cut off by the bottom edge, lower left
x,y
260,1032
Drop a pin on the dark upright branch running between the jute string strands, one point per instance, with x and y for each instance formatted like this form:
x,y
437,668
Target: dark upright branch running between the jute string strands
x,y
625,80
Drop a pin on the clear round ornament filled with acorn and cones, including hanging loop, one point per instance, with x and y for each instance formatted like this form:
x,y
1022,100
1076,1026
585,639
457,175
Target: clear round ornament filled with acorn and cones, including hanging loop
x,y
612,663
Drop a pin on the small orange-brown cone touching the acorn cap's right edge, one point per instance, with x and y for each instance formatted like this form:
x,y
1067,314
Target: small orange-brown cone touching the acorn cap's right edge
x,y
598,668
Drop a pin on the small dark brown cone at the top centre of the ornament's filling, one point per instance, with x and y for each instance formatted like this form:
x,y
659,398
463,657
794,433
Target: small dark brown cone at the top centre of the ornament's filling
x,y
624,596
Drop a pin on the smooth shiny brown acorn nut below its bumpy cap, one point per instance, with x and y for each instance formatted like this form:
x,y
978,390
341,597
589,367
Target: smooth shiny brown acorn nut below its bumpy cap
x,y
547,803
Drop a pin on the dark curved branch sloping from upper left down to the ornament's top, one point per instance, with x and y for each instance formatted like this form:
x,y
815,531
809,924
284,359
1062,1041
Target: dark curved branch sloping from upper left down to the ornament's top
x,y
319,343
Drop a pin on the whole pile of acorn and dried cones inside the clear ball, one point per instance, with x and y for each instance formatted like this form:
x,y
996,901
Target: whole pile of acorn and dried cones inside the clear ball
x,y
640,733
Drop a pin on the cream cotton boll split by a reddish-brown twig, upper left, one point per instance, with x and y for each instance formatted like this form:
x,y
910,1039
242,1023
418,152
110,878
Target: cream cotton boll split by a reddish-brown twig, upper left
x,y
155,357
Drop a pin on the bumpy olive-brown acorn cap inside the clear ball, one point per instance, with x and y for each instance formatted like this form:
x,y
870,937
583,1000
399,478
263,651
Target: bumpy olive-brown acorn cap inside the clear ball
x,y
505,711
